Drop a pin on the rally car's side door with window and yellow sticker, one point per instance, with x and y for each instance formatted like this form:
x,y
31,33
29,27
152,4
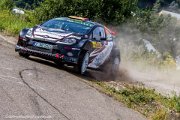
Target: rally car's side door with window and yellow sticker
x,y
102,46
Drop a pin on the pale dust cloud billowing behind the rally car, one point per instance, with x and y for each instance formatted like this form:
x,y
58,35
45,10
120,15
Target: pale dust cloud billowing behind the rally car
x,y
136,68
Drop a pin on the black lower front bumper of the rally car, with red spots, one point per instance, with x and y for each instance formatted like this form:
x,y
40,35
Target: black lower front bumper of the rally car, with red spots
x,y
45,55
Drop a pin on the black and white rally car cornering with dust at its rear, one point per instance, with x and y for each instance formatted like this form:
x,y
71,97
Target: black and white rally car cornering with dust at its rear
x,y
72,40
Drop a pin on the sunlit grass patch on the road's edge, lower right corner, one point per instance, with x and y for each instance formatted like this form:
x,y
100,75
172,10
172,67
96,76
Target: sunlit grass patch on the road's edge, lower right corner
x,y
146,101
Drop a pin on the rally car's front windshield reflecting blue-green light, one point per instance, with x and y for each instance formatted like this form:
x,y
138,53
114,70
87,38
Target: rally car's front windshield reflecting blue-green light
x,y
74,26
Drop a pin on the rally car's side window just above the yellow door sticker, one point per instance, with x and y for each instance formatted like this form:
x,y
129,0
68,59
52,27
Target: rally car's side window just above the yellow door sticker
x,y
99,33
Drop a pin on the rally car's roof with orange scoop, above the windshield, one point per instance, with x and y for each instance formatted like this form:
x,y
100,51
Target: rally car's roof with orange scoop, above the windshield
x,y
86,20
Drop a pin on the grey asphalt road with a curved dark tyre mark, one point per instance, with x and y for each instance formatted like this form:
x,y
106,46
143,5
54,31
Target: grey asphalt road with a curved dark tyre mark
x,y
37,89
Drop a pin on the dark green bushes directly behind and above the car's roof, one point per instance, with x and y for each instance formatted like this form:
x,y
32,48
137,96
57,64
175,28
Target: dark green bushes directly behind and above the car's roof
x,y
110,11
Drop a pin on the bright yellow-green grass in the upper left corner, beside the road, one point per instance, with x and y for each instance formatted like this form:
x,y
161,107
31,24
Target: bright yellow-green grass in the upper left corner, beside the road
x,y
11,23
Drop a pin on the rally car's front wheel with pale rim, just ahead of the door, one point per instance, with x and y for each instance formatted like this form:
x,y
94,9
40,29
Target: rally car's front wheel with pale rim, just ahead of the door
x,y
83,62
